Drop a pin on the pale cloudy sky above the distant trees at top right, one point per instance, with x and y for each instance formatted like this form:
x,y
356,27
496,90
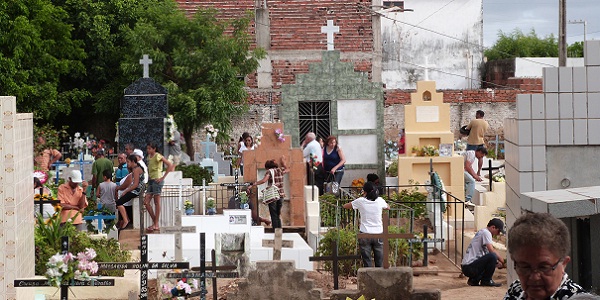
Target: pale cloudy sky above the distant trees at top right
x,y
541,15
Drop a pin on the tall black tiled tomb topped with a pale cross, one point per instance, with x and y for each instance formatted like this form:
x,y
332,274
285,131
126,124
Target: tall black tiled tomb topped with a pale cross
x,y
144,109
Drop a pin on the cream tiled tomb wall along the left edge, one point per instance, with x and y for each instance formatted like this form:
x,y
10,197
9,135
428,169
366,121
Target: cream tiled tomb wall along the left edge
x,y
16,204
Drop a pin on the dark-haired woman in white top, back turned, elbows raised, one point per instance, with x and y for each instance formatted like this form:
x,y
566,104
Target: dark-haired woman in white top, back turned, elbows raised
x,y
370,206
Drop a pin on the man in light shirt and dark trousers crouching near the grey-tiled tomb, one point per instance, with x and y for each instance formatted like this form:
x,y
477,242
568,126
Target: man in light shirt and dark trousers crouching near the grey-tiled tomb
x,y
481,259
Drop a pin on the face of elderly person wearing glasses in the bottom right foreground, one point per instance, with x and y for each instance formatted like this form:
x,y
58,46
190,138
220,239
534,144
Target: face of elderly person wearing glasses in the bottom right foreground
x,y
540,271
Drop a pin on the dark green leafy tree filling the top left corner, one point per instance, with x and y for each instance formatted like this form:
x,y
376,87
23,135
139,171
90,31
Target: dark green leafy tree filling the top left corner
x,y
36,54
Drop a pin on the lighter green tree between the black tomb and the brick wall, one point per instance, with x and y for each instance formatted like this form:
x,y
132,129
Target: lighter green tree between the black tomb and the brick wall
x,y
201,60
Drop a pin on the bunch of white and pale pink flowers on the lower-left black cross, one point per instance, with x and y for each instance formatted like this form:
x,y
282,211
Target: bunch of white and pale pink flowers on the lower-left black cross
x,y
62,268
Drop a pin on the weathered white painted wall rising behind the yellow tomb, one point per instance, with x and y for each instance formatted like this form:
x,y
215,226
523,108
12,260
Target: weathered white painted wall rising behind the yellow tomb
x,y
406,47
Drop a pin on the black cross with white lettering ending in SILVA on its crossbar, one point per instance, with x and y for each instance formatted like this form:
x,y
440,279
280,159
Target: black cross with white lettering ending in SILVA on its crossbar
x,y
143,266
